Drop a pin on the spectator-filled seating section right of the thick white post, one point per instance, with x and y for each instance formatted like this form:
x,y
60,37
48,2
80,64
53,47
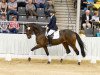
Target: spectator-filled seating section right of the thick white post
x,y
90,17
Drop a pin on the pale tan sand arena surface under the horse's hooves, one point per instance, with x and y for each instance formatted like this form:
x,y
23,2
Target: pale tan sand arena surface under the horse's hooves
x,y
40,67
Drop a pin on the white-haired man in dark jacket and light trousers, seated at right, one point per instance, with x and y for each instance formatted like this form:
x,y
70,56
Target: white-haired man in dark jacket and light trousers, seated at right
x,y
86,20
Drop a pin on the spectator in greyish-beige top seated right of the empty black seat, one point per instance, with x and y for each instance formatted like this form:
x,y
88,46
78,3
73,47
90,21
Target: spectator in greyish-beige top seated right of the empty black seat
x,y
30,9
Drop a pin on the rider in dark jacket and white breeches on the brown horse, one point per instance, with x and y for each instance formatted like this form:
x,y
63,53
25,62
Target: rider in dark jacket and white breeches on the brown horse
x,y
52,27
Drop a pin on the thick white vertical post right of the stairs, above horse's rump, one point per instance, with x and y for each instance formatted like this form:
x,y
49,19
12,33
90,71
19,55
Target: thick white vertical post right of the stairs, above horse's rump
x,y
78,16
